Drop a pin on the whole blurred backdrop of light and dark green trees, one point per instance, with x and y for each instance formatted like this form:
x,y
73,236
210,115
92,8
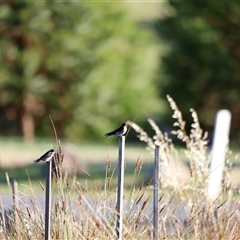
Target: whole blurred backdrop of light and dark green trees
x,y
94,65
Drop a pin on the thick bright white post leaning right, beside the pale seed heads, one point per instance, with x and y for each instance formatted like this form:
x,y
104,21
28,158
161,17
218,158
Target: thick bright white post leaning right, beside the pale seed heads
x,y
220,142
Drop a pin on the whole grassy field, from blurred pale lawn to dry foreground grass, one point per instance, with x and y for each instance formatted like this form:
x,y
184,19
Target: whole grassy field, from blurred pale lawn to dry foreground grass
x,y
84,197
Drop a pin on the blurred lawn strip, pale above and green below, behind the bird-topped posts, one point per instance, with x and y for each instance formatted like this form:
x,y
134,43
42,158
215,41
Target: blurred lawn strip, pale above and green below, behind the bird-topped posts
x,y
17,160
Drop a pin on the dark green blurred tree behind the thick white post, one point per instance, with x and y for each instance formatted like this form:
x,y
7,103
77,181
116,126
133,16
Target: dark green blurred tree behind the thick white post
x,y
202,59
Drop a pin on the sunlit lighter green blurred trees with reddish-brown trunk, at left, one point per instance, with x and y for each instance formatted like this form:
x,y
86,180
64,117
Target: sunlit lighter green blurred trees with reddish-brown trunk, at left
x,y
86,64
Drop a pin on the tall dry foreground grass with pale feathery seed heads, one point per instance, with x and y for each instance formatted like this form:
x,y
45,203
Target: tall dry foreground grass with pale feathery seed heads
x,y
79,212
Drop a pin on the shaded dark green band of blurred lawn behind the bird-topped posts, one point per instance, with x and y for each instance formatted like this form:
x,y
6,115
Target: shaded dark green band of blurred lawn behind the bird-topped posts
x,y
97,171
